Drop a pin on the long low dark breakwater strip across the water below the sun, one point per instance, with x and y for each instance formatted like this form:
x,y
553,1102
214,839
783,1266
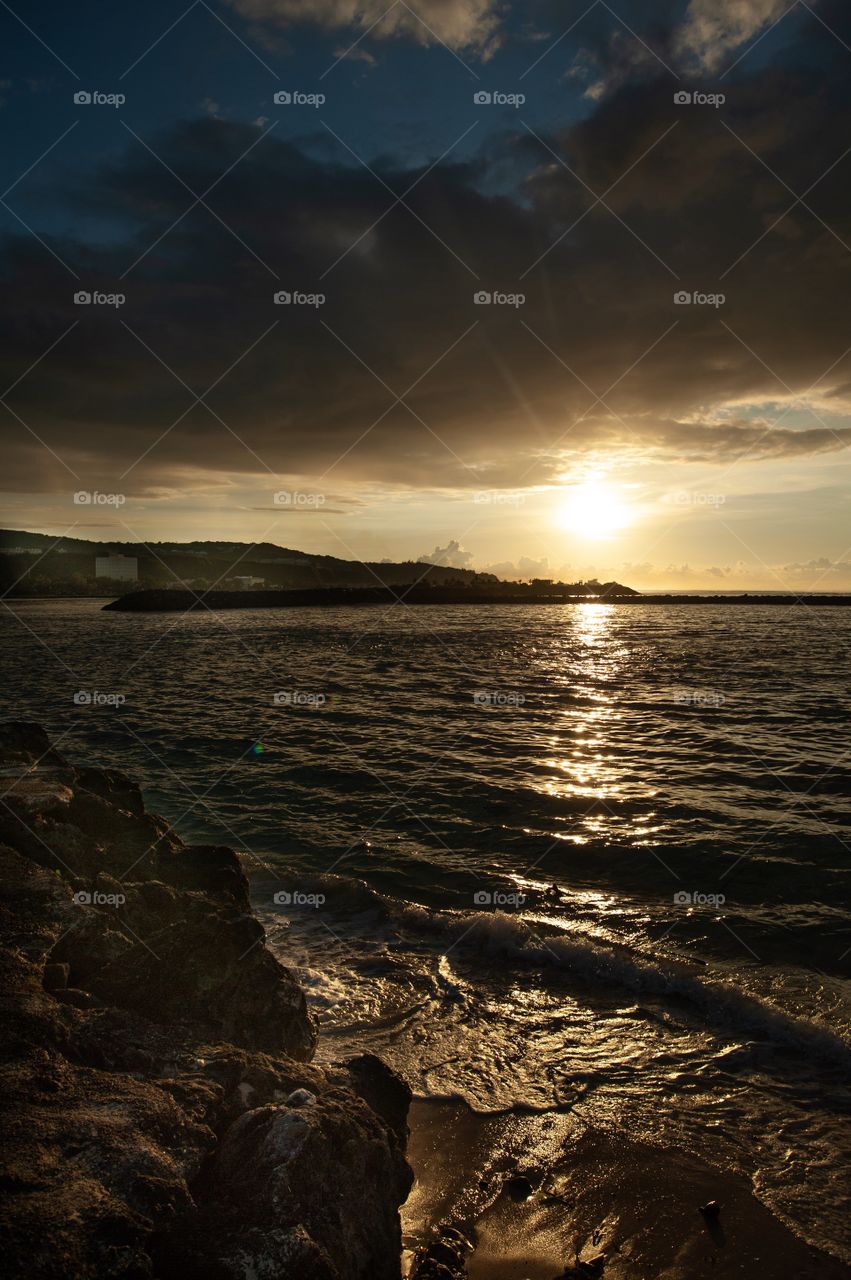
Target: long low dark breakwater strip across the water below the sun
x,y
173,601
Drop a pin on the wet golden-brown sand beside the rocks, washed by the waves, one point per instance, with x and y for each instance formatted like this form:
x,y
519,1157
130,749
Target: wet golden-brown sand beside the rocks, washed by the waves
x,y
597,1203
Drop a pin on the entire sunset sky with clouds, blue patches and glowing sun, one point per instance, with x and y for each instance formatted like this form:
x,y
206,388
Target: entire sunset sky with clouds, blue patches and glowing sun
x,y
546,290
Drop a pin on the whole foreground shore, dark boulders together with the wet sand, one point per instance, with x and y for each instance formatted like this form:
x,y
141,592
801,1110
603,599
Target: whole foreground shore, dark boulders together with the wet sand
x,y
172,1123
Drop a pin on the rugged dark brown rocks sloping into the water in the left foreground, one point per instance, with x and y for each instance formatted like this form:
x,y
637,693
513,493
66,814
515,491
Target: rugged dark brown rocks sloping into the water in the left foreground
x,y
161,1113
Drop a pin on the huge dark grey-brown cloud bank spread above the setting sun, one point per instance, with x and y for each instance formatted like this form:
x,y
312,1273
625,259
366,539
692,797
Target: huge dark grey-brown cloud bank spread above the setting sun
x,y
491,394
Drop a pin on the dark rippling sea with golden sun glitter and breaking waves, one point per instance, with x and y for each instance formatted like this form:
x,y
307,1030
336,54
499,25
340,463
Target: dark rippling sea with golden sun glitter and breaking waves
x,y
589,858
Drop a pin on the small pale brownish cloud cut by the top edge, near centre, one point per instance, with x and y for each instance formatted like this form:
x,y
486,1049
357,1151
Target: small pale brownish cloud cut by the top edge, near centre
x,y
456,24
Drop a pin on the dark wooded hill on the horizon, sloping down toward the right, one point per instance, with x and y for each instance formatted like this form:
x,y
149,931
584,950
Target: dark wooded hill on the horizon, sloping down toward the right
x,y
43,565
